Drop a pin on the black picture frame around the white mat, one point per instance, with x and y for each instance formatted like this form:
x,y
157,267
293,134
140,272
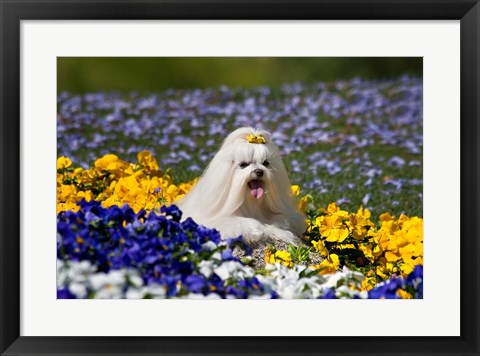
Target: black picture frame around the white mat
x,y
12,12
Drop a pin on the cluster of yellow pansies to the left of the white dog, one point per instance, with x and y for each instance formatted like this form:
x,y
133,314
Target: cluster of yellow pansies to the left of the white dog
x,y
142,185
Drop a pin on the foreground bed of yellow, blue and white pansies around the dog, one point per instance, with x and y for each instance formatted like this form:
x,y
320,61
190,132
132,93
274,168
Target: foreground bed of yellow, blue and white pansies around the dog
x,y
126,243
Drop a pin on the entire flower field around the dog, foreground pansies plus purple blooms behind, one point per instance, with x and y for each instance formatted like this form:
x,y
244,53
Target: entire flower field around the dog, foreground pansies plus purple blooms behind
x,y
353,149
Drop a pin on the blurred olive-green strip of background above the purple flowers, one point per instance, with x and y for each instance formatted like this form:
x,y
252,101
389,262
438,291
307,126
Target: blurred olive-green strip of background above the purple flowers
x,y
148,74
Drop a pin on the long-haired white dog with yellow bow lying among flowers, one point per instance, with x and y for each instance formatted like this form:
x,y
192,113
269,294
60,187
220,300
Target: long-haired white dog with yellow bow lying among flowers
x,y
245,190
